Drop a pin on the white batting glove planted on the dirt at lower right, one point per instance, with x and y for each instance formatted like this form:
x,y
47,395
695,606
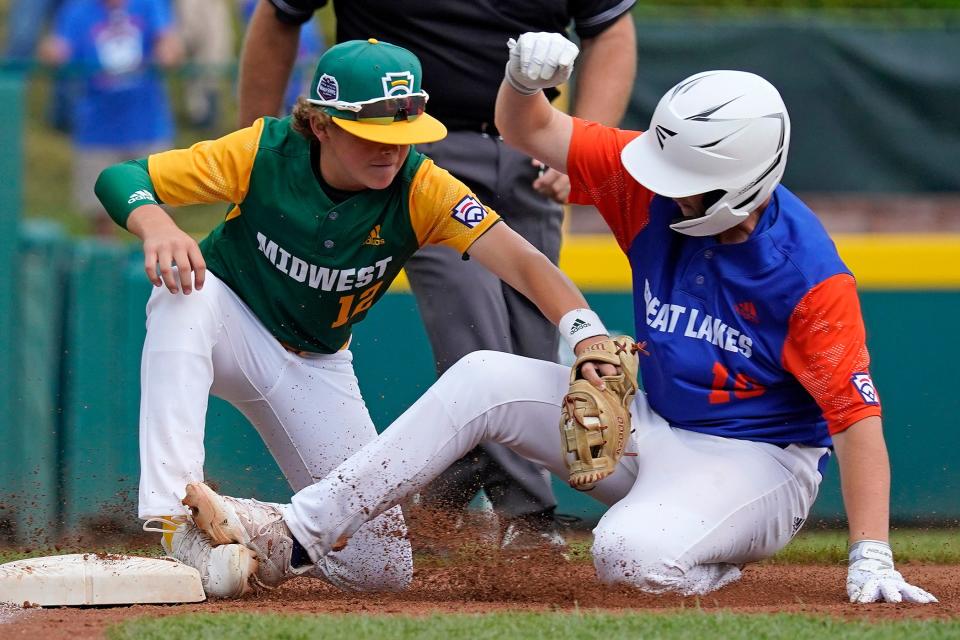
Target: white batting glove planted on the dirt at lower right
x,y
872,578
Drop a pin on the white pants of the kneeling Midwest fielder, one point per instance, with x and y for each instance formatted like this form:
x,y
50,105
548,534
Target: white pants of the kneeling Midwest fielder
x,y
308,410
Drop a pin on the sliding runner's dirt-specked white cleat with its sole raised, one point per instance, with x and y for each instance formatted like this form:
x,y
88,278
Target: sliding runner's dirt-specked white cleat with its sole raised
x,y
256,525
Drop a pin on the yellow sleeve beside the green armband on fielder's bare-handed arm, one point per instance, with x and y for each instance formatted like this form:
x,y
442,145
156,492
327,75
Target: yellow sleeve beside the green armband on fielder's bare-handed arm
x,y
209,171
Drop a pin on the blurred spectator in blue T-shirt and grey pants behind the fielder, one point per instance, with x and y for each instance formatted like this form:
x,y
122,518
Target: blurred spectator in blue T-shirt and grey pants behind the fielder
x,y
121,110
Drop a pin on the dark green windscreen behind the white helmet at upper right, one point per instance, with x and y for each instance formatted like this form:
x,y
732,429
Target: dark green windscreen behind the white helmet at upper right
x,y
872,97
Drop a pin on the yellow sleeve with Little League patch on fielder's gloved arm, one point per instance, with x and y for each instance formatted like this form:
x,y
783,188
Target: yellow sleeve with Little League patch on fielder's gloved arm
x,y
444,211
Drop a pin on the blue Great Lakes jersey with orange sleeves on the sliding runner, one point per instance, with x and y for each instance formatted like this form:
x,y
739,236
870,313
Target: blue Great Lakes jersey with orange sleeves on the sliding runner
x,y
760,340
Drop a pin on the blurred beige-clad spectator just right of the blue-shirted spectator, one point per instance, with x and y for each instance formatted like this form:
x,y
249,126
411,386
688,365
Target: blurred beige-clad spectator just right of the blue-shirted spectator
x,y
206,31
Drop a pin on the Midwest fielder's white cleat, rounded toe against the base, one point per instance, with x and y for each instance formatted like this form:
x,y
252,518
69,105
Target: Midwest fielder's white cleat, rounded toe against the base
x,y
226,571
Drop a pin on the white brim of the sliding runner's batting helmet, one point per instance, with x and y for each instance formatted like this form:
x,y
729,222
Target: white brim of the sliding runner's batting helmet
x,y
647,163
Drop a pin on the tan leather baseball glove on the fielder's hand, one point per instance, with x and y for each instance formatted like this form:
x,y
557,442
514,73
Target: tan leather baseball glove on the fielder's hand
x,y
595,424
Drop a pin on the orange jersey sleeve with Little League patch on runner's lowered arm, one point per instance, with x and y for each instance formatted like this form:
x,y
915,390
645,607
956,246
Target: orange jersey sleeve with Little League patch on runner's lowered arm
x,y
826,351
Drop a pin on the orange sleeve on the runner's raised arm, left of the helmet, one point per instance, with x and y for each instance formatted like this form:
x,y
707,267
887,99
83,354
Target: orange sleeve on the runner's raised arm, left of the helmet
x,y
598,177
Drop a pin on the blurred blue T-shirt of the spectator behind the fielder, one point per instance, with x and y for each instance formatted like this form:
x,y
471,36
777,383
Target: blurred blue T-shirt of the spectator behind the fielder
x,y
122,101
